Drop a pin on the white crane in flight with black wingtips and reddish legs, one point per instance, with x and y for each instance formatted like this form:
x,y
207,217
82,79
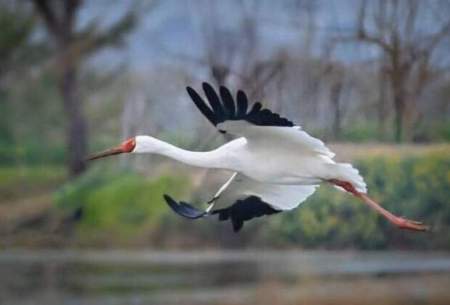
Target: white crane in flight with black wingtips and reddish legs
x,y
275,165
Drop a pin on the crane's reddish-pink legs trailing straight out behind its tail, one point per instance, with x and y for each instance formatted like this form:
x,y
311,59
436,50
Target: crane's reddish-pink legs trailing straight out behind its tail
x,y
400,222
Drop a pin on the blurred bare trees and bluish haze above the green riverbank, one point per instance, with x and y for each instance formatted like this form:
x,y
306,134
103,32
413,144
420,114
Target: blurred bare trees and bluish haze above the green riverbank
x,y
50,76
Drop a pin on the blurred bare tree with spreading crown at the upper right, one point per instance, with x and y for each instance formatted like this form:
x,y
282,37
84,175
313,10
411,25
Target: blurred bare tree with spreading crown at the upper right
x,y
407,49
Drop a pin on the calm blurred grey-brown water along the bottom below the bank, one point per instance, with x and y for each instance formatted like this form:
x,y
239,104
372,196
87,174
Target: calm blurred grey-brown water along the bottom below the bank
x,y
253,277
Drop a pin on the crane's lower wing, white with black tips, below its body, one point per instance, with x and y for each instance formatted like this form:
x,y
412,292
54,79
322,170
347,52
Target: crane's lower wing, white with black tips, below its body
x,y
241,199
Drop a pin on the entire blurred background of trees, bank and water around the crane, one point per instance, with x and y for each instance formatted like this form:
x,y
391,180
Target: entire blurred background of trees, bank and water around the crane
x,y
371,78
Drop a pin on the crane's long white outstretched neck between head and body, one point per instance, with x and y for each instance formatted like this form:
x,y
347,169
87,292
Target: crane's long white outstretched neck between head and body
x,y
209,159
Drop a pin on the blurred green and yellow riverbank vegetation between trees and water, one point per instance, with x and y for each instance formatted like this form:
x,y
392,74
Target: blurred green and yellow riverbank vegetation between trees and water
x,y
109,207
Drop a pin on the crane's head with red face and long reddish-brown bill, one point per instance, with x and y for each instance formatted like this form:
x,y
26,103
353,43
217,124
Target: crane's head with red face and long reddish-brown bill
x,y
137,144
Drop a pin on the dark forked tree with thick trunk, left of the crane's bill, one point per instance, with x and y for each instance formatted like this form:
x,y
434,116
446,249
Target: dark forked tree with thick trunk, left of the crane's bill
x,y
73,45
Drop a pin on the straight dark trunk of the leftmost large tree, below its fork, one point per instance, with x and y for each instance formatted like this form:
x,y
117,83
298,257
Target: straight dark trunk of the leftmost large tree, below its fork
x,y
76,124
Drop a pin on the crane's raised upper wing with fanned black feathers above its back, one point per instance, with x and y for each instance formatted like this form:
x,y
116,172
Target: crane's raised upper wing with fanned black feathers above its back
x,y
257,124
